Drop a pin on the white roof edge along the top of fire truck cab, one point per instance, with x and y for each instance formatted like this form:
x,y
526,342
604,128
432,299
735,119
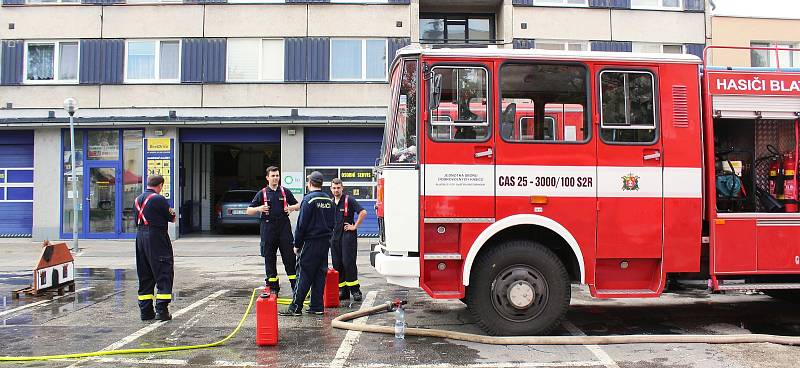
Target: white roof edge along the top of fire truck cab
x,y
548,54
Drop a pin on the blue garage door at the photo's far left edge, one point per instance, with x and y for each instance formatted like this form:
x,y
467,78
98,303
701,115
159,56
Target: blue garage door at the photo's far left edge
x,y
16,184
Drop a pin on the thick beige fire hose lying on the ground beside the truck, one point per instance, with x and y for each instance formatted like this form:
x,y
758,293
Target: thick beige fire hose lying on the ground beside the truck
x,y
343,322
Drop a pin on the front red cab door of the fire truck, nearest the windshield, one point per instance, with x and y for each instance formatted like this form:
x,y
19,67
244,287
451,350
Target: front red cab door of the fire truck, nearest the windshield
x,y
459,150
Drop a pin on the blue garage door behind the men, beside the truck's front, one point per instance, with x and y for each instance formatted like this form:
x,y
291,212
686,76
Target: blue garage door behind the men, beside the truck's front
x,y
349,153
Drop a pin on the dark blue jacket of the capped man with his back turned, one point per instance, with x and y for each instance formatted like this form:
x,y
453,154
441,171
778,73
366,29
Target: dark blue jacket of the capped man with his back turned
x,y
316,218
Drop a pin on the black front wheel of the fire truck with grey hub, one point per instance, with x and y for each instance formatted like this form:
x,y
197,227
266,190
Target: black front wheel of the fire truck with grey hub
x,y
537,278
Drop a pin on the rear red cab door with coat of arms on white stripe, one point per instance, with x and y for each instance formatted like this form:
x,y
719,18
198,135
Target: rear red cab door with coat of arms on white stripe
x,y
629,168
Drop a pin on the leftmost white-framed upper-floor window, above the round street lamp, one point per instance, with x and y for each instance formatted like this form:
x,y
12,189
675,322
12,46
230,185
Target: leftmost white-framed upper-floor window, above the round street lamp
x,y
51,61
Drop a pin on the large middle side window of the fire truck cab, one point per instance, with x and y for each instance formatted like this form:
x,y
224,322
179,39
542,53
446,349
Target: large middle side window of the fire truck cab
x,y
544,103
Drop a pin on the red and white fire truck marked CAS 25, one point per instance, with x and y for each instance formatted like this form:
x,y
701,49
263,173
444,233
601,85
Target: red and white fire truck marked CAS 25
x,y
615,170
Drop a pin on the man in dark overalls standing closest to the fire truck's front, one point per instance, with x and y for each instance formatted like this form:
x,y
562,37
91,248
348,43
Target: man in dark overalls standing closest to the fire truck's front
x,y
344,243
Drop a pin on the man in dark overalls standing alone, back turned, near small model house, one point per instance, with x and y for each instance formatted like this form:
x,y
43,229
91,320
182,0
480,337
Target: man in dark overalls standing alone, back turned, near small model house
x,y
154,262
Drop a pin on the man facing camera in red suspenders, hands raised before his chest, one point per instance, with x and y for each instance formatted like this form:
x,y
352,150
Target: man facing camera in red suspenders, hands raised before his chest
x,y
275,203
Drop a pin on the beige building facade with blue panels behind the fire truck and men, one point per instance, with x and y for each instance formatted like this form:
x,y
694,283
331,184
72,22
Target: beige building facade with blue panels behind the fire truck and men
x,y
210,92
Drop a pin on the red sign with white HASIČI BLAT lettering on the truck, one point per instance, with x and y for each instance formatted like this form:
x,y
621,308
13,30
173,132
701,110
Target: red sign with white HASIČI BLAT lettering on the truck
x,y
767,84
